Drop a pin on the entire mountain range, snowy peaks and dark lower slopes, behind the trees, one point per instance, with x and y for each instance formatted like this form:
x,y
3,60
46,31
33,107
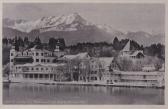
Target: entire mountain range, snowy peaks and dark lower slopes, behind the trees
x,y
73,28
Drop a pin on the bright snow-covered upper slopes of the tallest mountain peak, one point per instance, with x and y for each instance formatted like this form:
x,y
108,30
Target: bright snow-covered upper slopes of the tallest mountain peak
x,y
70,22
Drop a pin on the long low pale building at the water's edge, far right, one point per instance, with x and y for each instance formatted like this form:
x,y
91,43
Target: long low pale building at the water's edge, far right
x,y
140,79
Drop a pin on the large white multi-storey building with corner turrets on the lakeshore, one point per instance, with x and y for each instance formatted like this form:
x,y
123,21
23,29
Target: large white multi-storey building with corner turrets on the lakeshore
x,y
35,64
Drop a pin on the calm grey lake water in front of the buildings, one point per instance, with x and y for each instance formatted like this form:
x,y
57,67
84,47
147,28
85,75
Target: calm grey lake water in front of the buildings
x,y
21,93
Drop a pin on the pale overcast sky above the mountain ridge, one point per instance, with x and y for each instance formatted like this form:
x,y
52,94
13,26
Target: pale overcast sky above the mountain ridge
x,y
124,17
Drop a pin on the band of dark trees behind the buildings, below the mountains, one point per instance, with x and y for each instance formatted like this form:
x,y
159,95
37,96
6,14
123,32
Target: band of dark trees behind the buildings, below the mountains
x,y
97,49
